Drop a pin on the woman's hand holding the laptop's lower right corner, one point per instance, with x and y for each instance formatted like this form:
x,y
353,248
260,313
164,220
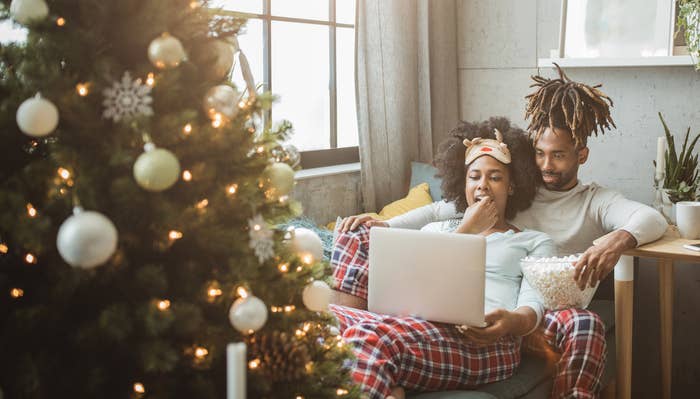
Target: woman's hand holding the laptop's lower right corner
x,y
501,322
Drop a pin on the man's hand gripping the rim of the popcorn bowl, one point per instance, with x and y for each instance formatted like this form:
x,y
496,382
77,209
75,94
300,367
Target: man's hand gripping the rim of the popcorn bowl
x,y
599,260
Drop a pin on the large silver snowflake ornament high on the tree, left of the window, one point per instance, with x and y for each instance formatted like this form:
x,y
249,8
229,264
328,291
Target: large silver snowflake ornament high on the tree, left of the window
x,y
126,99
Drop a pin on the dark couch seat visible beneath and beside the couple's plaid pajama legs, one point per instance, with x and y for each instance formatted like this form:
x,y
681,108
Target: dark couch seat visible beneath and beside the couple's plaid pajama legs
x,y
532,376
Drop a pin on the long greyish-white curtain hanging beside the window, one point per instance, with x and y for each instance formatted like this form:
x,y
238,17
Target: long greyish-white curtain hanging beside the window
x,y
407,89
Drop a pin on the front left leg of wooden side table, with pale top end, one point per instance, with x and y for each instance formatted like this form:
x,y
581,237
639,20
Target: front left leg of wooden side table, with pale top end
x,y
624,297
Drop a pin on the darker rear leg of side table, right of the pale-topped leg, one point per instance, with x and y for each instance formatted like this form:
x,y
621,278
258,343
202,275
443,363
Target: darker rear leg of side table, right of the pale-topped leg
x,y
666,316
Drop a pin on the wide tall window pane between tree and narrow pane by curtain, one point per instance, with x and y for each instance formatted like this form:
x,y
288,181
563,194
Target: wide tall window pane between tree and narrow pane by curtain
x,y
300,78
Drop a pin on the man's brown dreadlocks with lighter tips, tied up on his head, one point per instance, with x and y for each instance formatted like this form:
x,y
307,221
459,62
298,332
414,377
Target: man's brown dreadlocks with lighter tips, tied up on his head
x,y
565,104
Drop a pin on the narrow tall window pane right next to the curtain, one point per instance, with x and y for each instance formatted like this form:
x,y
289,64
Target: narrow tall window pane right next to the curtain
x,y
345,83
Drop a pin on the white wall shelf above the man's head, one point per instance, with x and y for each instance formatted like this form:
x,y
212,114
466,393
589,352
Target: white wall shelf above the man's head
x,y
676,60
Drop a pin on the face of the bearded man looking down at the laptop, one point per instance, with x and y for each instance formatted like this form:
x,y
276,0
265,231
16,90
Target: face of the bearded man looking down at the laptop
x,y
558,159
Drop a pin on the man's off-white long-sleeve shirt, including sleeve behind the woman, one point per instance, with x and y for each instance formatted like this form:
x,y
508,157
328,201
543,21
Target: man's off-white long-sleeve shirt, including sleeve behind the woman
x,y
573,218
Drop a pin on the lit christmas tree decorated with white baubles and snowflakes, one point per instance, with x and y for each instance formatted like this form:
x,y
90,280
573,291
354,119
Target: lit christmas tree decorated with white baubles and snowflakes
x,y
140,194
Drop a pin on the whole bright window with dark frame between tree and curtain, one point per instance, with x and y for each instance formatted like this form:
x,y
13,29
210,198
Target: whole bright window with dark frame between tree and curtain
x,y
303,51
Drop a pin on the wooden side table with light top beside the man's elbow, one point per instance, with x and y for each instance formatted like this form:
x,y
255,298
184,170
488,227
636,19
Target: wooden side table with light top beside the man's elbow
x,y
667,249
